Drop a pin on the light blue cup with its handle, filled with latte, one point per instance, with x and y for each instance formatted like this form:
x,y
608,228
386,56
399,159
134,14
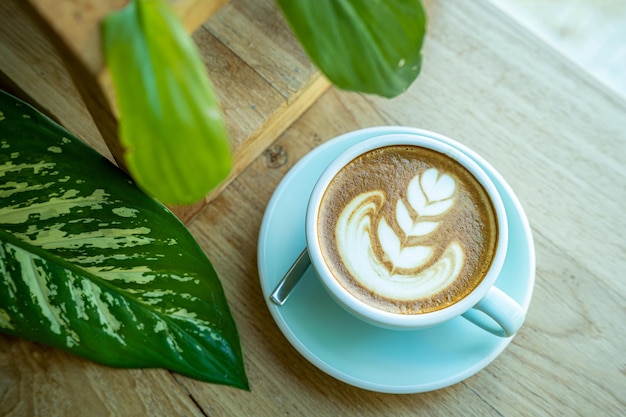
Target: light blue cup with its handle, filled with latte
x,y
407,232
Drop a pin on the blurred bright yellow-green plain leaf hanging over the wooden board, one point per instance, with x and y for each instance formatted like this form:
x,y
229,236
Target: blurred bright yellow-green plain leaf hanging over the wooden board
x,y
171,125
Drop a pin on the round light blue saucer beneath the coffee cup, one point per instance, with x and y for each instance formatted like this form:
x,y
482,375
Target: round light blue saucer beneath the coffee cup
x,y
347,348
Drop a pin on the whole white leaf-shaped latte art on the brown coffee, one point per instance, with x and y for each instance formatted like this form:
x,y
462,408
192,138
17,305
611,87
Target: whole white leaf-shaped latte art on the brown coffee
x,y
402,271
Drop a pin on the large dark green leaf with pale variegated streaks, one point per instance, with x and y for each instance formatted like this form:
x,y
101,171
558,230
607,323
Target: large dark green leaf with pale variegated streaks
x,y
92,265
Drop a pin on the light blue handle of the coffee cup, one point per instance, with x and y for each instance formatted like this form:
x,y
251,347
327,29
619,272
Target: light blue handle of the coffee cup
x,y
497,313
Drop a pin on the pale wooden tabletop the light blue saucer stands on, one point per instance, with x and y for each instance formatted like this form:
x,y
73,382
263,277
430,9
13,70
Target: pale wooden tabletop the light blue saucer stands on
x,y
555,134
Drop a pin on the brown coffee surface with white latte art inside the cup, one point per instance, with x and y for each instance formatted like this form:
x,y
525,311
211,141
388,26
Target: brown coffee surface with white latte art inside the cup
x,y
407,229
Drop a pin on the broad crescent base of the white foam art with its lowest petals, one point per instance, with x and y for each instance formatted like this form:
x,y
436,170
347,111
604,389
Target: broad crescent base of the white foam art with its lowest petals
x,y
407,268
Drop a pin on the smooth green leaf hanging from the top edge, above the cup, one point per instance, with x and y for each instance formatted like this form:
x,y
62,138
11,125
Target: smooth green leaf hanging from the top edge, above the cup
x,y
361,45
